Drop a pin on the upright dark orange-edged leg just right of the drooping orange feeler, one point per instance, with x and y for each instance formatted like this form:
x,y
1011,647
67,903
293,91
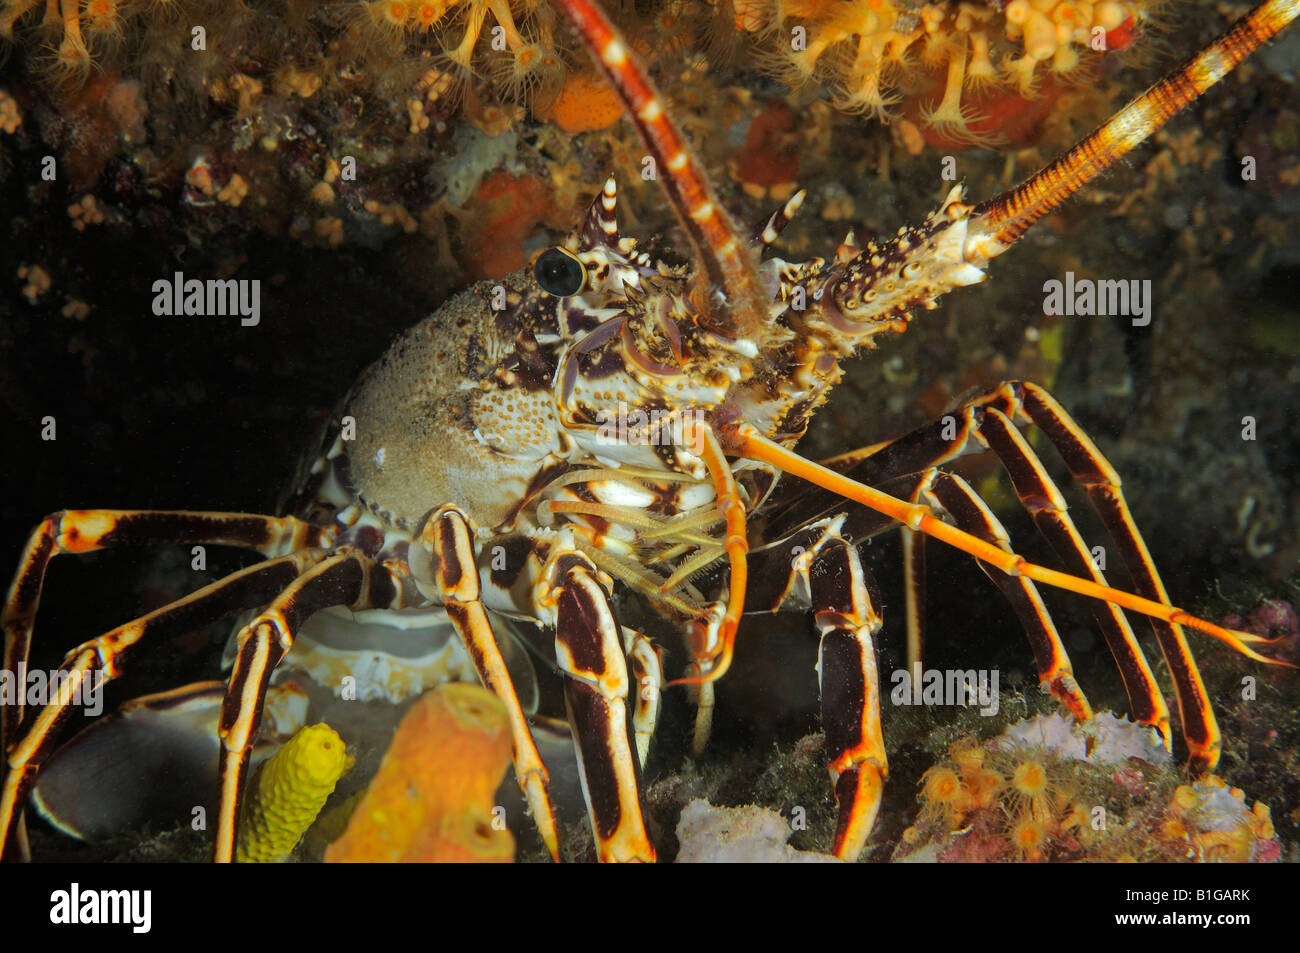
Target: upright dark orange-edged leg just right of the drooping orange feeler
x,y
847,613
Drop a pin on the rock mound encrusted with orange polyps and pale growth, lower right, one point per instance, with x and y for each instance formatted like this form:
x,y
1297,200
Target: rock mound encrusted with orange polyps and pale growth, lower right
x,y
1052,790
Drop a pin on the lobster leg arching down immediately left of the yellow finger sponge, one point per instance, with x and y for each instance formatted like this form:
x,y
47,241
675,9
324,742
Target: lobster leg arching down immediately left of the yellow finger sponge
x,y
339,581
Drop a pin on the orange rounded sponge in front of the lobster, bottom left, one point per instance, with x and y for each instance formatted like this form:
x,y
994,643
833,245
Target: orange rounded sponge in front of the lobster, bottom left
x,y
434,796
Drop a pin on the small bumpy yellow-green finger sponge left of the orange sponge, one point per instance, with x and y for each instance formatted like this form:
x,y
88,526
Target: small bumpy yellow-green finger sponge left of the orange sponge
x,y
289,792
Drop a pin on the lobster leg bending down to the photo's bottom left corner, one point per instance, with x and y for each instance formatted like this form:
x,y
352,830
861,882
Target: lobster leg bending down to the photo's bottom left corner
x,y
105,657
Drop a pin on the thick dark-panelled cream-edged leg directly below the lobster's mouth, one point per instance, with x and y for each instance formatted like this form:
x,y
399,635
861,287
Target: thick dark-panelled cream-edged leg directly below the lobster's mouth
x,y
590,651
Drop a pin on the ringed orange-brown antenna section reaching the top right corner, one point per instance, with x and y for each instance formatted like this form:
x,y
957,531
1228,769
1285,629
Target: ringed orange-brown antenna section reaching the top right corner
x,y
1006,218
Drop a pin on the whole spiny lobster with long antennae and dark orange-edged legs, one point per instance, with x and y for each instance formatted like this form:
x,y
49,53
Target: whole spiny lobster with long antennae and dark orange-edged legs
x,y
609,422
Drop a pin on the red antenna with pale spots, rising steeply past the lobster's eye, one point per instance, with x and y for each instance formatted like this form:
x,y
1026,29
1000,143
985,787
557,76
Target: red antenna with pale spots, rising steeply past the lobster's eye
x,y
727,261
